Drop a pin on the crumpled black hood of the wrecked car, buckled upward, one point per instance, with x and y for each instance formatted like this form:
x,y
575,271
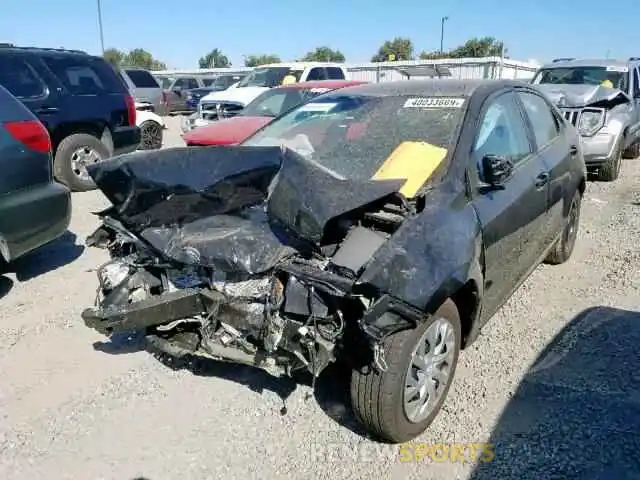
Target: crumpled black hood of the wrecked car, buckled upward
x,y
239,209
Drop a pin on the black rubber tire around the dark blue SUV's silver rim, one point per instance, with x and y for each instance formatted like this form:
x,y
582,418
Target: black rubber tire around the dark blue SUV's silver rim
x,y
63,161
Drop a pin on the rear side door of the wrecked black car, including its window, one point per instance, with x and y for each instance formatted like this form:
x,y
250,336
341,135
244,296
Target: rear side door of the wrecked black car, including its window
x,y
558,155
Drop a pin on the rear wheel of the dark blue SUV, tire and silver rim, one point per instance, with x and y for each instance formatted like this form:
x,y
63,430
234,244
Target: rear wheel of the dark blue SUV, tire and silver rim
x,y
72,157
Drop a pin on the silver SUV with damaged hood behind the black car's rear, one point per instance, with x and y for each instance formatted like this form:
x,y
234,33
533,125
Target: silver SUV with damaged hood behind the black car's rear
x,y
601,98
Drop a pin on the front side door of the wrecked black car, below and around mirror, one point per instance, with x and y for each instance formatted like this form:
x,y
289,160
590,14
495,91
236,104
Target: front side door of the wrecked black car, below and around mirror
x,y
512,217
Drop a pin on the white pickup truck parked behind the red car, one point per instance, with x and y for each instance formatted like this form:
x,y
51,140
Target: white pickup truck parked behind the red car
x,y
230,102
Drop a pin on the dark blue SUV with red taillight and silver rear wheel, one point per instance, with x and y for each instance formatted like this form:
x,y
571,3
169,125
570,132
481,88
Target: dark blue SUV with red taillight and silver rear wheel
x,y
85,106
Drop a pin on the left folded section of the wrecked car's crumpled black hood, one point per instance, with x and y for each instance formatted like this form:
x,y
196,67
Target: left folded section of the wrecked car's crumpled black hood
x,y
175,186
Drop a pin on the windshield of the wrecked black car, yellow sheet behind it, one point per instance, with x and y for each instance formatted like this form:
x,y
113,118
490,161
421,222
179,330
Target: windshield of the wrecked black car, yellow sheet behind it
x,y
353,135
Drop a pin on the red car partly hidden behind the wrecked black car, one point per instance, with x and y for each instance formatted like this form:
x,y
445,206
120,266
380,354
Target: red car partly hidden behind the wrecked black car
x,y
261,111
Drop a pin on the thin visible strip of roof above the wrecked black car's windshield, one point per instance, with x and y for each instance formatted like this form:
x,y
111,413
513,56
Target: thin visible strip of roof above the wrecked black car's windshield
x,y
437,87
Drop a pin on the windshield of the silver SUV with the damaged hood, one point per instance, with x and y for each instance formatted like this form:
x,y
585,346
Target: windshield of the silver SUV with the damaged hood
x,y
618,76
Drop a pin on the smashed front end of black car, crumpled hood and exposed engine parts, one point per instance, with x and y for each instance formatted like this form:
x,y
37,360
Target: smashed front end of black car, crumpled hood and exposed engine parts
x,y
253,265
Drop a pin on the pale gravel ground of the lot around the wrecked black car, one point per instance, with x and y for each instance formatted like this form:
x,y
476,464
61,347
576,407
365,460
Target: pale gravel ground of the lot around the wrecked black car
x,y
73,405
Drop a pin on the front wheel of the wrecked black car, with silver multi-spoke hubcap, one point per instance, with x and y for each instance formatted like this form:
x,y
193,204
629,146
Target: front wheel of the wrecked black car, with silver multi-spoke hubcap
x,y
400,403
